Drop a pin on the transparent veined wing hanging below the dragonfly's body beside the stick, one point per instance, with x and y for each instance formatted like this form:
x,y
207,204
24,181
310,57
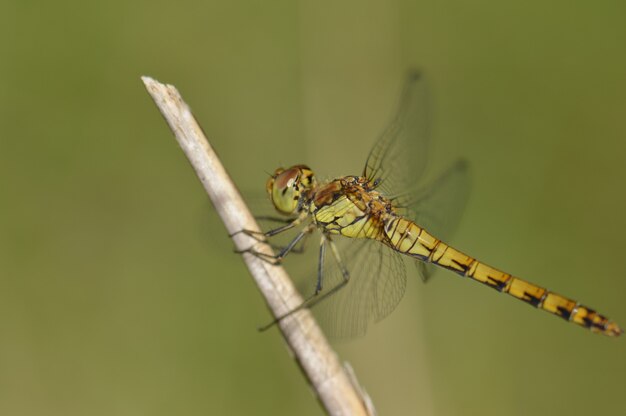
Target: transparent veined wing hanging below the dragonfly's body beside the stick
x,y
376,286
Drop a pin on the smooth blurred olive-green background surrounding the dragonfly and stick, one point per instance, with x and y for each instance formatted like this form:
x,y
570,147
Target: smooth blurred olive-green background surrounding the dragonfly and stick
x,y
120,293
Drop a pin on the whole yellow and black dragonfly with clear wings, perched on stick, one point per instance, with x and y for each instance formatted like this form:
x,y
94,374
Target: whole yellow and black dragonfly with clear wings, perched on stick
x,y
372,224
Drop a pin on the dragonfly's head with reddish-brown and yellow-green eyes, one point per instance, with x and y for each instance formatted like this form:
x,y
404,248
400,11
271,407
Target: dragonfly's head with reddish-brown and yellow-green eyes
x,y
286,186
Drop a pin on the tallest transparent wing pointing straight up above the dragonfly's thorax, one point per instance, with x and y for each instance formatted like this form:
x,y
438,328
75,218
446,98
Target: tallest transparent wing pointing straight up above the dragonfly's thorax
x,y
398,159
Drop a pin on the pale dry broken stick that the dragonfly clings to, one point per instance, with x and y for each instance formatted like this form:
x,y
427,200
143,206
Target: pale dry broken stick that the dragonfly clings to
x,y
336,389
